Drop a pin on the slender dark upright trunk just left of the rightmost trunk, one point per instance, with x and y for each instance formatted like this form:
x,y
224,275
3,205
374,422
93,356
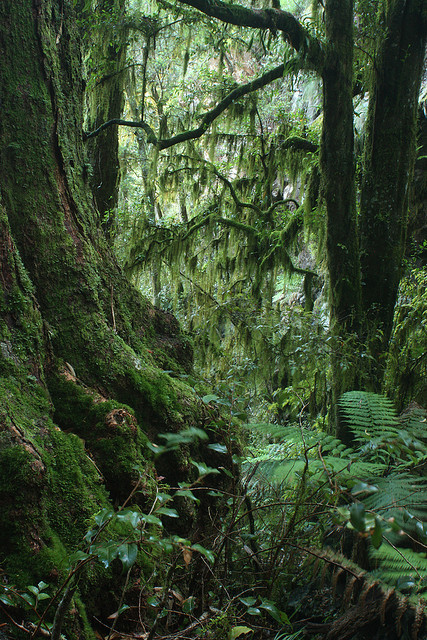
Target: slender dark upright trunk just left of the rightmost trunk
x,y
338,172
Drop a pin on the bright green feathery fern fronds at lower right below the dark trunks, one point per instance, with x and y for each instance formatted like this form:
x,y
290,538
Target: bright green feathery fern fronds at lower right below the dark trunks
x,y
382,470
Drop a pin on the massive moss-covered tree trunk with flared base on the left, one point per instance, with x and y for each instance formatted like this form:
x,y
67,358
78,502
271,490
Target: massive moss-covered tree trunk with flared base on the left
x,y
82,355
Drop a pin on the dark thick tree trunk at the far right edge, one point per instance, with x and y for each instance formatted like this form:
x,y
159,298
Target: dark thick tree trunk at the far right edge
x,y
388,168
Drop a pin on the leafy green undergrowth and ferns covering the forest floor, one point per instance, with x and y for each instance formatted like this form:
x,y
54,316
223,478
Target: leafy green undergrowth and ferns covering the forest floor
x,y
296,492
